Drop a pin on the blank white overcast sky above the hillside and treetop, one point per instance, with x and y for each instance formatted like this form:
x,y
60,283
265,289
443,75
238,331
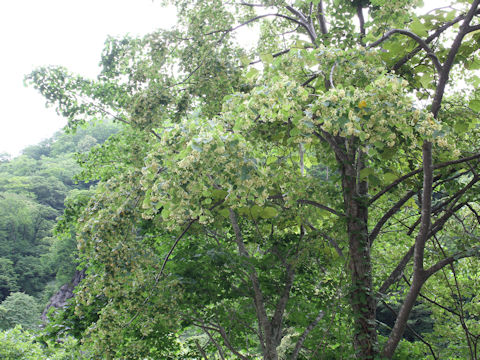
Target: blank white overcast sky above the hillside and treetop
x,y
70,33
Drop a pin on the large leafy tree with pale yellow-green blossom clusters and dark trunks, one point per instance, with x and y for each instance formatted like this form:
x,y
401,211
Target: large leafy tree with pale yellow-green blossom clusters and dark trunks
x,y
245,179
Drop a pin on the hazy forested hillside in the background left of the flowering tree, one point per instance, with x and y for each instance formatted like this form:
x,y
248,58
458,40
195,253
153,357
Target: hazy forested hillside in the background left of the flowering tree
x,y
34,262
